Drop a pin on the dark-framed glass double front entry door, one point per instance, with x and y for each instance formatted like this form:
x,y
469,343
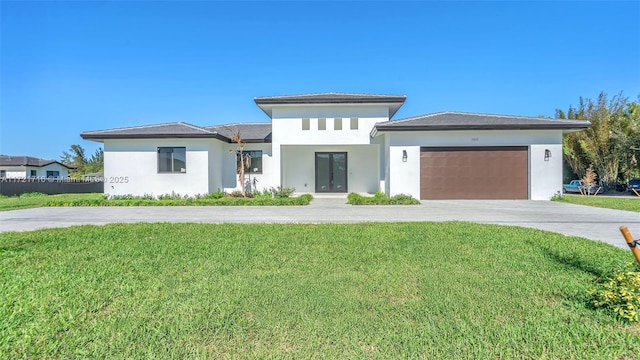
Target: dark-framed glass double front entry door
x,y
331,172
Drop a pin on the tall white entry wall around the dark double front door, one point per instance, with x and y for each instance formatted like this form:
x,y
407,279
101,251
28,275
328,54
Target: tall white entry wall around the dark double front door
x,y
295,166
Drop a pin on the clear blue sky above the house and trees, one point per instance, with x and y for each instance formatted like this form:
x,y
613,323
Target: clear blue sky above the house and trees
x,y
68,67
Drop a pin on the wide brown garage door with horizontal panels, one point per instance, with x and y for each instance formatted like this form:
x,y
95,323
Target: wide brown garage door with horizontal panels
x,y
474,173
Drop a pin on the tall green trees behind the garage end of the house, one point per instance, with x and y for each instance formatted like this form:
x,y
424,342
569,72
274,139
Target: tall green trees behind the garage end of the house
x,y
611,143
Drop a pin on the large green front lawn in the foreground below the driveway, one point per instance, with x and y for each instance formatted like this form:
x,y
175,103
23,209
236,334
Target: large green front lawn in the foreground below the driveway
x,y
418,290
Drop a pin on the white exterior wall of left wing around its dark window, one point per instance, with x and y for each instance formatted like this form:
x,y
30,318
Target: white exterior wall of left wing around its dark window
x,y
131,167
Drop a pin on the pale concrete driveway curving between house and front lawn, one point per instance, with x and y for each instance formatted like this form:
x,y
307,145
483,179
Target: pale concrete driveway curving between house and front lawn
x,y
588,222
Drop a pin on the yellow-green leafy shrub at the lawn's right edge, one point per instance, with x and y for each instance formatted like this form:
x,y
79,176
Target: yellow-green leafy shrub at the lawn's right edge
x,y
620,293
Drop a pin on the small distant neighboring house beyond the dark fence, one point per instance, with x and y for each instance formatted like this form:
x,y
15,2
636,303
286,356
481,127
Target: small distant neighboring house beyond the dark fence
x,y
27,167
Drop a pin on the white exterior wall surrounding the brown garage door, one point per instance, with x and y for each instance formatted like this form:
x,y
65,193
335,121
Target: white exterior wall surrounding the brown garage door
x,y
545,177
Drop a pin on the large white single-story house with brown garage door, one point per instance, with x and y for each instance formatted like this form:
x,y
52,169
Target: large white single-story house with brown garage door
x,y
339,143
